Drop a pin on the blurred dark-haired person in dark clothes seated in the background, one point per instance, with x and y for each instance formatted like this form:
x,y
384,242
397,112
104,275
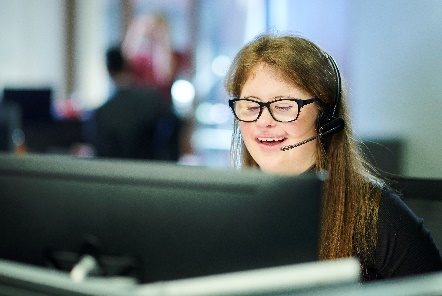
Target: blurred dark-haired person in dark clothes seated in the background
x,y
135,122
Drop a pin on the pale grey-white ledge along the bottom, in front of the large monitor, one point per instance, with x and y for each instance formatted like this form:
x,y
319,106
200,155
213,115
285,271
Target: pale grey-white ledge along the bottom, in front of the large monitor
x,y
312,278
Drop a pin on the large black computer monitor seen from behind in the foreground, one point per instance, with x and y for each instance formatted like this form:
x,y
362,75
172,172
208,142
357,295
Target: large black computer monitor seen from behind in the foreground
x,y
154,221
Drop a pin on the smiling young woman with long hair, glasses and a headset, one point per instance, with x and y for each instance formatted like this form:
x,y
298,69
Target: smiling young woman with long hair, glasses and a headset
x,y
291,116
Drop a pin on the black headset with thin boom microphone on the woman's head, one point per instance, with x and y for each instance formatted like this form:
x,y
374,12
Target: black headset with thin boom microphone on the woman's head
x,y
329,122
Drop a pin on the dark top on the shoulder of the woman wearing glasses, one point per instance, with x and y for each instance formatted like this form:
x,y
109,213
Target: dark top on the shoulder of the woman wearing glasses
x,y
405,246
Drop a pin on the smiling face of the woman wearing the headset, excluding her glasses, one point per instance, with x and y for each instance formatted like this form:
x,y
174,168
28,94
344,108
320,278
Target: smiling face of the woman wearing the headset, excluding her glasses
x,y
265,137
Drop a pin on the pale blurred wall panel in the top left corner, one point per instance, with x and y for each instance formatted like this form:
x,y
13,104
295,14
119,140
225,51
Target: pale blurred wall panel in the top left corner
x,y
32,43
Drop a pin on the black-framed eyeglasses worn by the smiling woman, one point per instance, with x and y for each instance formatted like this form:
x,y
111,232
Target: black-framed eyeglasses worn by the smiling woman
x,y
282,110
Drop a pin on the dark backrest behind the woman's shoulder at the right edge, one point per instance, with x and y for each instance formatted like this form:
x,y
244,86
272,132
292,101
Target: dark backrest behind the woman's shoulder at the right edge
x,y
424,197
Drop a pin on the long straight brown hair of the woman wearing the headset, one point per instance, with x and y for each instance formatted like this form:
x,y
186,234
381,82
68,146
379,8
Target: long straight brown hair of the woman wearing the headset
x,y
351,193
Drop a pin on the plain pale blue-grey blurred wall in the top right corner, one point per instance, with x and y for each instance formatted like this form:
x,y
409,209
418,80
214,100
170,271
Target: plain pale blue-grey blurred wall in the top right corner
x,y
395,74
